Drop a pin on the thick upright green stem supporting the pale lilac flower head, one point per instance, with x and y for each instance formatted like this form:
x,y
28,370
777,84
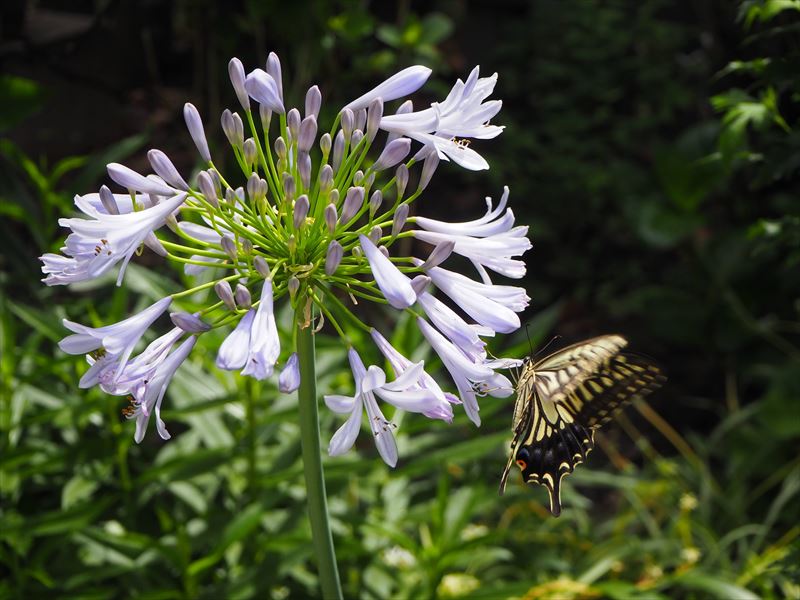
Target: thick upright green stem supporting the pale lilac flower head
x,y
312,464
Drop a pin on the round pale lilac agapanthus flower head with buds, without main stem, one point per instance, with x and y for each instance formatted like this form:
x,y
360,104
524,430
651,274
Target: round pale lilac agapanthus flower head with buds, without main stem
x,y
310,219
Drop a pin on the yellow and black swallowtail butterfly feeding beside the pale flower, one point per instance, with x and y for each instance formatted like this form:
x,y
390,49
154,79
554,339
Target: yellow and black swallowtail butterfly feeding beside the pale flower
x,y
563,399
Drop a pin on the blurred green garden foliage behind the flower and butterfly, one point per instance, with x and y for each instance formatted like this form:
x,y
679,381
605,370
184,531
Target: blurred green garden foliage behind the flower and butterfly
x,y
653,149
